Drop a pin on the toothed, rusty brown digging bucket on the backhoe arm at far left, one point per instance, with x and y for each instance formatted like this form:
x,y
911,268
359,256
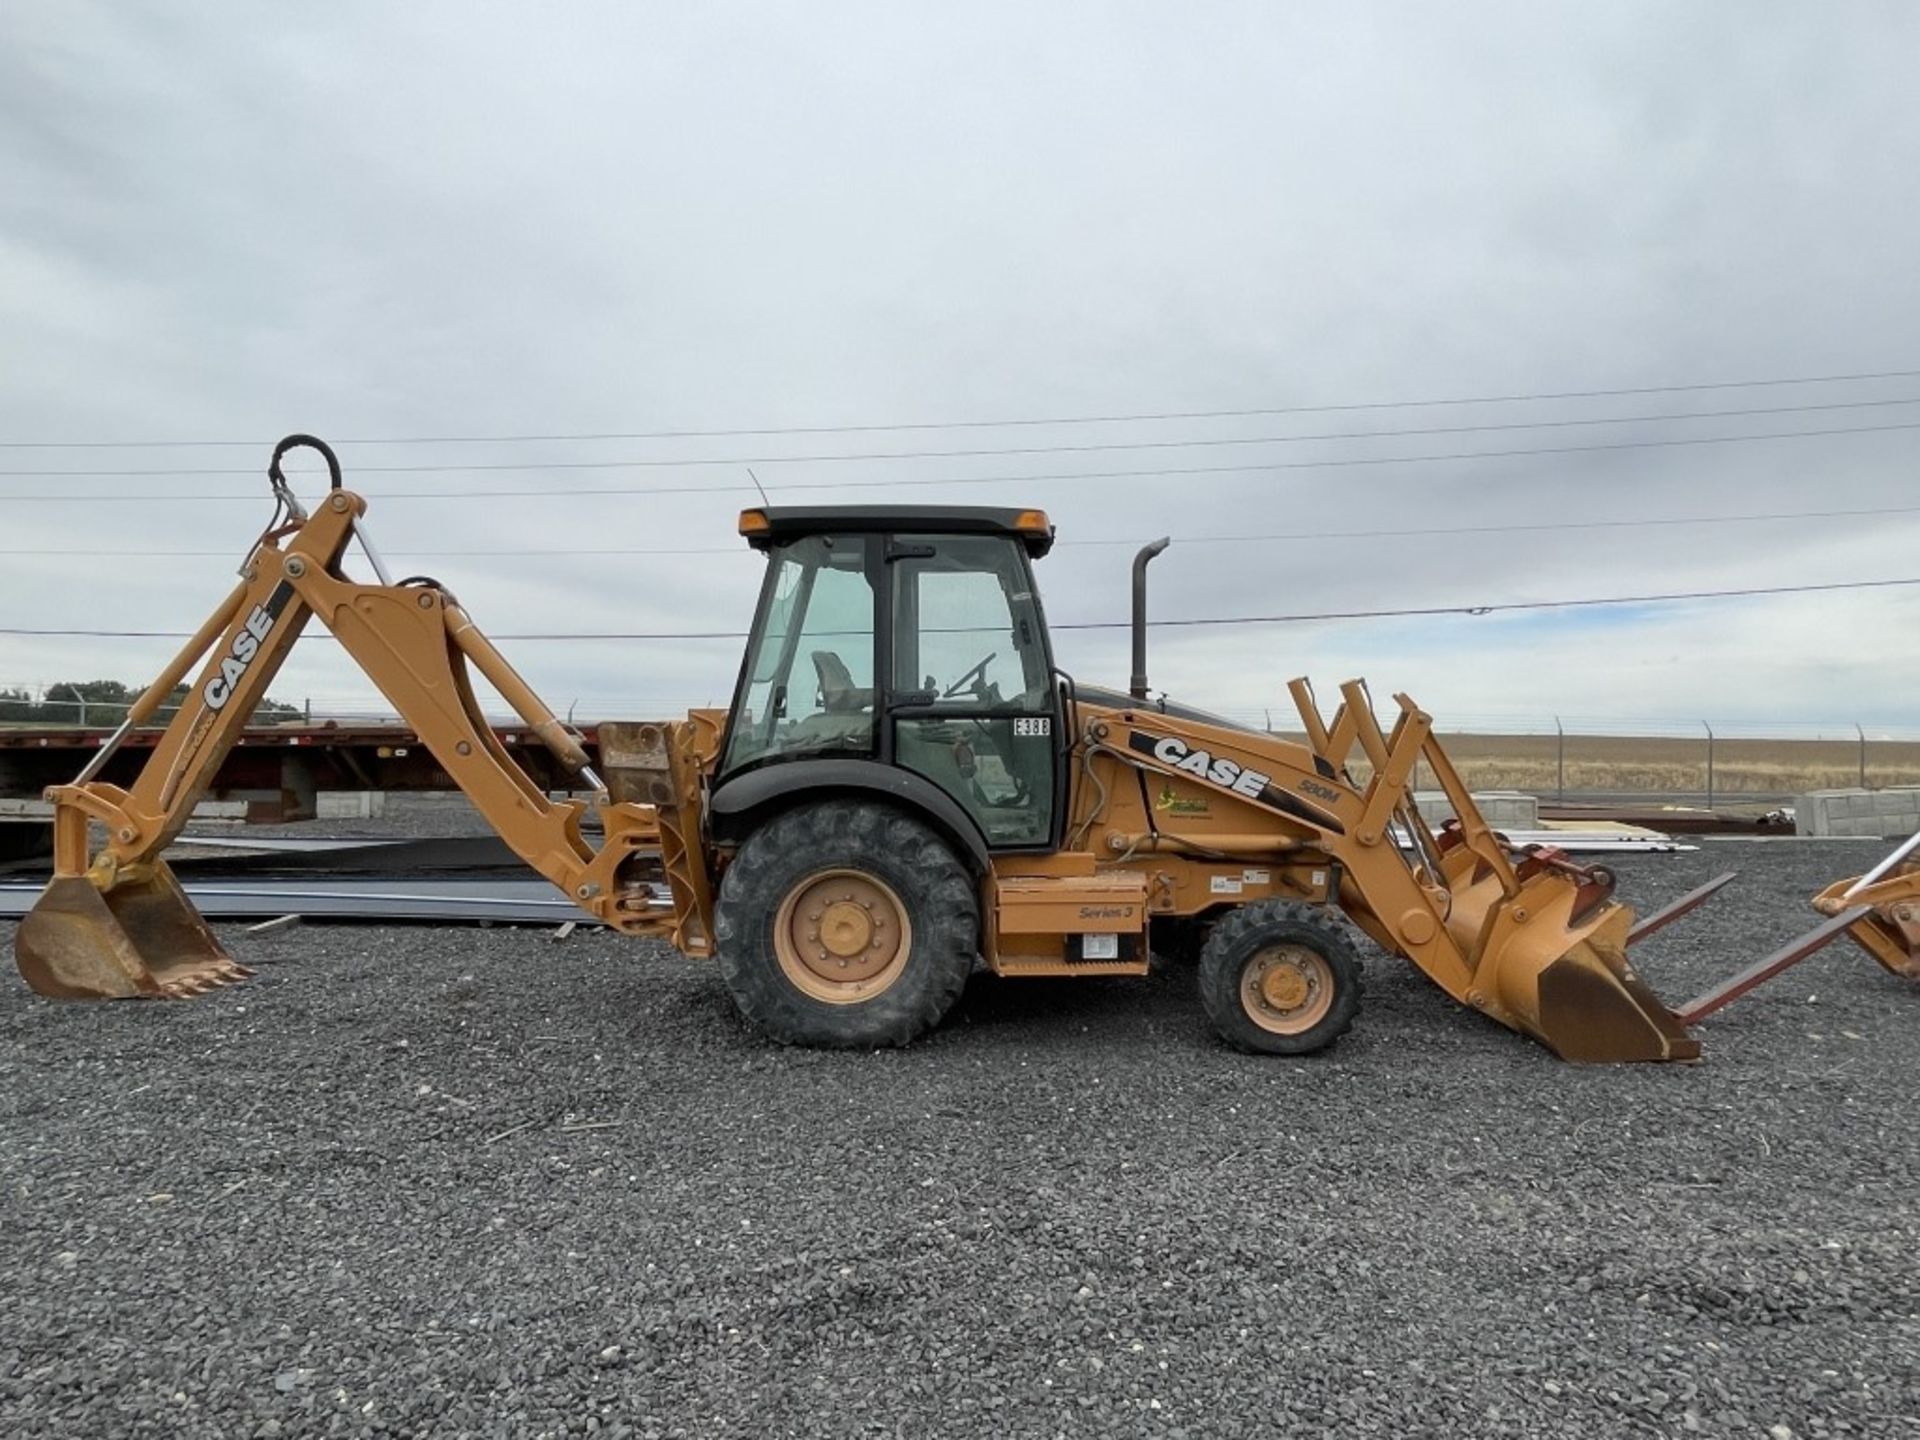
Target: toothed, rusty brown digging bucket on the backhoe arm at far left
x,y
137,938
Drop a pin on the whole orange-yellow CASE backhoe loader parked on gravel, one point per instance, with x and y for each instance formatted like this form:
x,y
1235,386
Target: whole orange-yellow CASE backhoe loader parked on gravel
x,y
905,786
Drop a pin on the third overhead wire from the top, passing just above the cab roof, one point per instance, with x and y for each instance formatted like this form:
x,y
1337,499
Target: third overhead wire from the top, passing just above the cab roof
x,y
1260,468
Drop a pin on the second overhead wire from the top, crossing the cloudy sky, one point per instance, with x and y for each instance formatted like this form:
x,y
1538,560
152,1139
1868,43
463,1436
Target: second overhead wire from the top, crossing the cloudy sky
x,y
1092,448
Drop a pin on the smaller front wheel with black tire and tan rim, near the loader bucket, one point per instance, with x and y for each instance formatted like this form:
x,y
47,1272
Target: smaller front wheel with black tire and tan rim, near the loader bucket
x,y
1280,978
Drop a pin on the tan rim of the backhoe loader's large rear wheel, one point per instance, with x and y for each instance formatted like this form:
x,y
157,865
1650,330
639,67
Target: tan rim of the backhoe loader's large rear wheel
x,y
842,936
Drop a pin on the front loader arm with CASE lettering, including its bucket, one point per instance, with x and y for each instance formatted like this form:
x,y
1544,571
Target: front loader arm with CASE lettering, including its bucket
x,y
1527,938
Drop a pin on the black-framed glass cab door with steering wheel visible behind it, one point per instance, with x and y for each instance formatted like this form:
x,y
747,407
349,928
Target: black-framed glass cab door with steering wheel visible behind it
x,y
972,700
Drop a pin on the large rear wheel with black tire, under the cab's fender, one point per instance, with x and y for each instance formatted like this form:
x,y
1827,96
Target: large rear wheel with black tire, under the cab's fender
x,y
846,924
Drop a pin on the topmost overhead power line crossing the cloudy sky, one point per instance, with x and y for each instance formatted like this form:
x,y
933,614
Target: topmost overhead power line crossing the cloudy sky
x,y
1136,418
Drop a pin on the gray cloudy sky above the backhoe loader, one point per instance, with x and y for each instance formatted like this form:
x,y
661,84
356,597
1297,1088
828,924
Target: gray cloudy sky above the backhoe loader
x,y
452,220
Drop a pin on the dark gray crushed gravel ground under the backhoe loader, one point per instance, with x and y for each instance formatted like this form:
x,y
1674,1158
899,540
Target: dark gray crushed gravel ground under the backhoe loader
x,y
469,1182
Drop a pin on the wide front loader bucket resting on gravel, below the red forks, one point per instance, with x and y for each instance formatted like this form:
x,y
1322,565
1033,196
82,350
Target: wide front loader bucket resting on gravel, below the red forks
x,y
1564,978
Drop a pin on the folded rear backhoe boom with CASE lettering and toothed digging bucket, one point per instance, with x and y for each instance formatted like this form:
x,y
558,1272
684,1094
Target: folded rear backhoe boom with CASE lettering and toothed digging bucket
x,y
118,924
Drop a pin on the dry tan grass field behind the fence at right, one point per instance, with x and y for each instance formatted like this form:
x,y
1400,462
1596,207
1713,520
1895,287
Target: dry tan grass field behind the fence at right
x,y
1662,765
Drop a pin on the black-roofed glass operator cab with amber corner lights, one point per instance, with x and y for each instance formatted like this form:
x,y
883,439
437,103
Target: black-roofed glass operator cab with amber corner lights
x,y
905,638
